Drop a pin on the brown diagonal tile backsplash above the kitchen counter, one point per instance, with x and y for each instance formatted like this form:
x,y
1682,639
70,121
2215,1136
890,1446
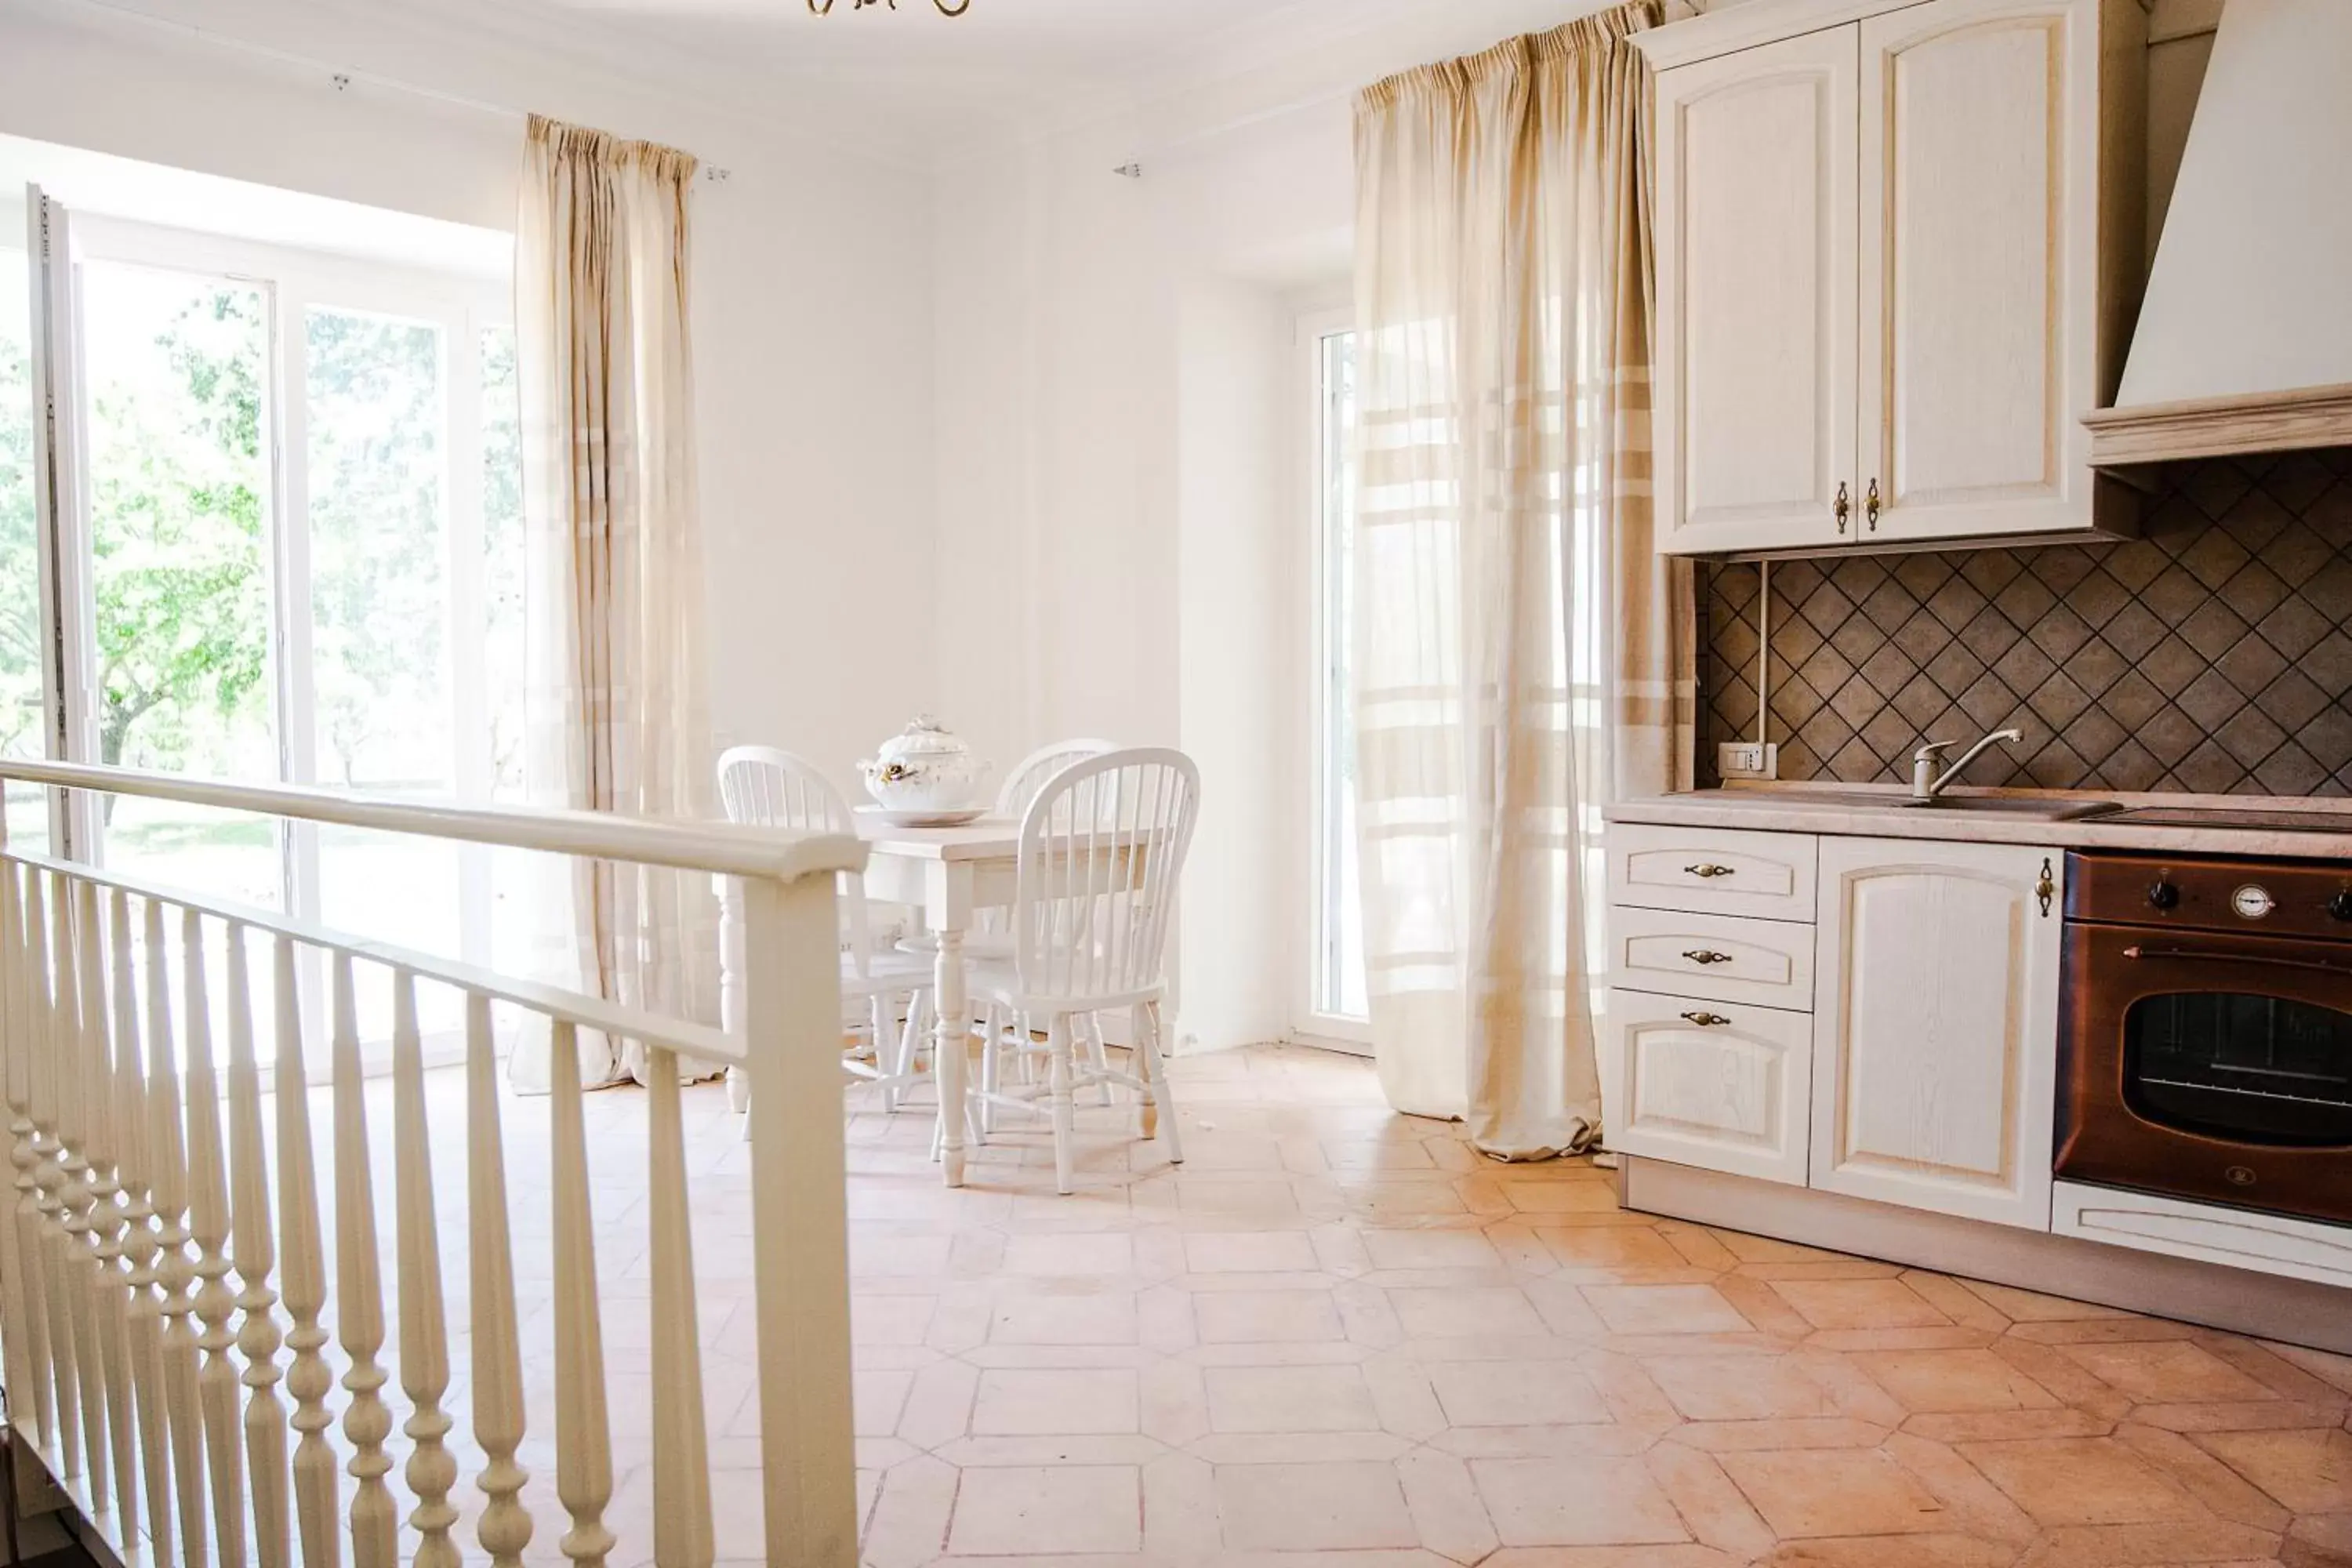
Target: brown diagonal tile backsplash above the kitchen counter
x,y
2214,655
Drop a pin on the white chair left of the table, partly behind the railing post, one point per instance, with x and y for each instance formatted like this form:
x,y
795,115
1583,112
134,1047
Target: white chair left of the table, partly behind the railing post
x,y
768,789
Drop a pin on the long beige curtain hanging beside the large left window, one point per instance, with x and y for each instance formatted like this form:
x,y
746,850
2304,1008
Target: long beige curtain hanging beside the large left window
x,y
617,716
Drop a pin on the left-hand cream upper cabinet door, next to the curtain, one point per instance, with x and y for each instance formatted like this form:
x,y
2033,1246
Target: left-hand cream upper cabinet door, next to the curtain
x,y
1756,408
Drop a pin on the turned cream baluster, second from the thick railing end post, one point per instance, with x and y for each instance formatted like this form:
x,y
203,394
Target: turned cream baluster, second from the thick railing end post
x,y
582,1435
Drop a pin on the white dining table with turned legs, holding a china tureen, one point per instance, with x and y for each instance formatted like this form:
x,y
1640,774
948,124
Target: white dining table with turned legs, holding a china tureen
x,y
949,873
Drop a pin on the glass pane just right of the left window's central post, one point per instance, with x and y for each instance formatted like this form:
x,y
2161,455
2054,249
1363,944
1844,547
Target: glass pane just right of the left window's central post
x,y
380,624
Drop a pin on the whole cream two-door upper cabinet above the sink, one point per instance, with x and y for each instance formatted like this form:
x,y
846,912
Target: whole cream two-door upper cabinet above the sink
x,y
1897,267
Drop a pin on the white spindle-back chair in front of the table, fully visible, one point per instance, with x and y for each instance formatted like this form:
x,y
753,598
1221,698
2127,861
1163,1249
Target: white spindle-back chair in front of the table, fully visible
x,y
1102,857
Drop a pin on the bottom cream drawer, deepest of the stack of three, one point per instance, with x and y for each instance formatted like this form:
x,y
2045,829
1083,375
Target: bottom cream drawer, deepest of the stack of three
x,y
1711,1085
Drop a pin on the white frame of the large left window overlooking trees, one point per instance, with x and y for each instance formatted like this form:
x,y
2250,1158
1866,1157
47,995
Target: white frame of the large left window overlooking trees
x,y
465,307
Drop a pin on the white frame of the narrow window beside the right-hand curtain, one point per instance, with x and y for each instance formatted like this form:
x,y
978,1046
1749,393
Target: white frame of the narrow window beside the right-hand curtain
x,y
1314,1024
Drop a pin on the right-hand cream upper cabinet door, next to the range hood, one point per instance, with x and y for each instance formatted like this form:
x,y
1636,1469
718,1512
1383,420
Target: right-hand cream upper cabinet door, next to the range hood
x,y
1979,269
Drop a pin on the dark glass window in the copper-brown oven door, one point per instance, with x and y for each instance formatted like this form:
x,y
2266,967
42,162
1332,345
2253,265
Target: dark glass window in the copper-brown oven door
x,y
2243,1068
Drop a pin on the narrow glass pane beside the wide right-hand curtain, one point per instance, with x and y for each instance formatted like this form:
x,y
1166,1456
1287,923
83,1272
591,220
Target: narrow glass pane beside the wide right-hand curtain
x,y
1339,986
